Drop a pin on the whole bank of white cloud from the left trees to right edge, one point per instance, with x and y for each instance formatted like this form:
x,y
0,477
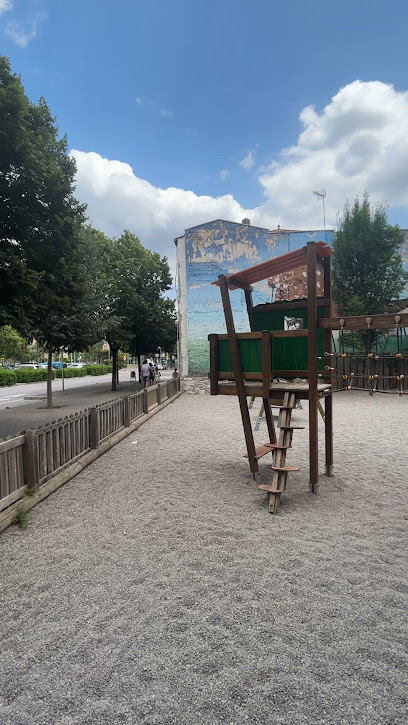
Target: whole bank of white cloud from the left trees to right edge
x,y
358,141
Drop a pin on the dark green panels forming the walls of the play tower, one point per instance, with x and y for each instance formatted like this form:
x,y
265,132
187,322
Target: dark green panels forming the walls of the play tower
x,y
286,353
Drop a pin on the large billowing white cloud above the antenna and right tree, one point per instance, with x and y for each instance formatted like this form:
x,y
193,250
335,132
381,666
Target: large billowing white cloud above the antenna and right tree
x,y
359,141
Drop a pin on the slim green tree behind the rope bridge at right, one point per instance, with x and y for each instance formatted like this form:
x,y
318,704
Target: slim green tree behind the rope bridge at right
x,y
368,272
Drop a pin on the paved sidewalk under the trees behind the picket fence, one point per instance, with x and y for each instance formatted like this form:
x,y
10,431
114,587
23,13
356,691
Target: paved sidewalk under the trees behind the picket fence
x,y
32,415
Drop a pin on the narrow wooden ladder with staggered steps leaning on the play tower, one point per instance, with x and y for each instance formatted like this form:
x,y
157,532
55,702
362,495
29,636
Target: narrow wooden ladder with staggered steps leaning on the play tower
x,y
280,471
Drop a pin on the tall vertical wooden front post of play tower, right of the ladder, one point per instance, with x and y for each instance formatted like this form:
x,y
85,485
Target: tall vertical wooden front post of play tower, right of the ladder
x,y
312,364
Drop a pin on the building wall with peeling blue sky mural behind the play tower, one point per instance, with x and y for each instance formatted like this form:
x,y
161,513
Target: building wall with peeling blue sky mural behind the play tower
x,y
222,247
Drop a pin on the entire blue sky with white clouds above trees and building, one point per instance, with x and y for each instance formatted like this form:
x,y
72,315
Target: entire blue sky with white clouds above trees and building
x,y
197,101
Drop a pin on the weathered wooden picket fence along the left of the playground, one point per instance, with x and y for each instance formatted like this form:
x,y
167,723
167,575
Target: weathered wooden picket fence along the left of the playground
x,y
29,460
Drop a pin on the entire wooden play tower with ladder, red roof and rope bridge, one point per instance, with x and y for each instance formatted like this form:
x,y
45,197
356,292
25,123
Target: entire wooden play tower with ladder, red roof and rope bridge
x,y
289,340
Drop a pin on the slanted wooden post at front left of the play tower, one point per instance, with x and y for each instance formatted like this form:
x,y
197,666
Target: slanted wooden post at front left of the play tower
x,y
239,378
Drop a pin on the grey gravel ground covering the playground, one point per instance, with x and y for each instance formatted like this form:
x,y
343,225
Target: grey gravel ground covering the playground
x,y
155,587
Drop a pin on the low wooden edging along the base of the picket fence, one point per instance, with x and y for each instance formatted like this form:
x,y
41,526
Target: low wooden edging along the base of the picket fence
x,y
7,516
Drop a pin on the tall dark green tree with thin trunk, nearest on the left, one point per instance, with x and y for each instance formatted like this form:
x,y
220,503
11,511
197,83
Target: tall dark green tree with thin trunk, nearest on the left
x,y
44,279
